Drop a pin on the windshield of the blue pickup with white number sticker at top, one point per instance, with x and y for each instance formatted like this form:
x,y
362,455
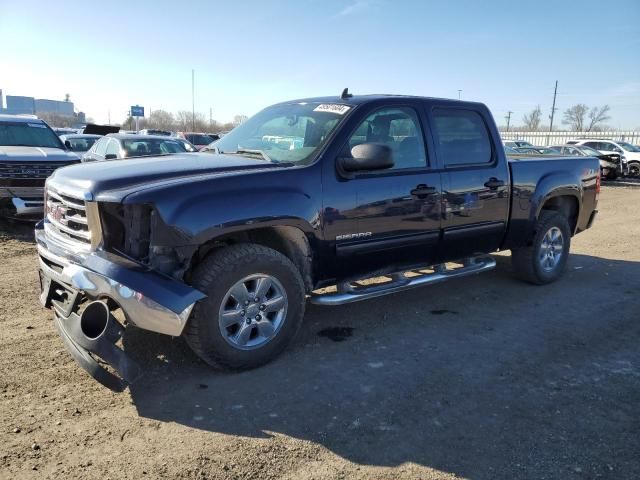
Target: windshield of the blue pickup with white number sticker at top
x,y
284,133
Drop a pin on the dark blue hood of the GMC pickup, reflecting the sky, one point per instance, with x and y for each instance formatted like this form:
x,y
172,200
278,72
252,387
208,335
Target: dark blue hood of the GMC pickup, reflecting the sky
x,y
113,180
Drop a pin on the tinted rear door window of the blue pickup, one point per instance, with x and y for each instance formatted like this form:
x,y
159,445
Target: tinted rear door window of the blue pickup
x,y
461,137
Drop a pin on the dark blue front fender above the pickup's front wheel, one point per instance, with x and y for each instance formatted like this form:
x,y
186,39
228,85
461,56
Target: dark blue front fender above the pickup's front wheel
x,y
198,212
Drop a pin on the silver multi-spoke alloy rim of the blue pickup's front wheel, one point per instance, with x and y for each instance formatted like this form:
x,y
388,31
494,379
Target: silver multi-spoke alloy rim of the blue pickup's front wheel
x,y
253,311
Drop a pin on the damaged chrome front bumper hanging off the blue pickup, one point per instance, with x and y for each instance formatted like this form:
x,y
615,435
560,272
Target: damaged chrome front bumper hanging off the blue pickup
x,y
70,282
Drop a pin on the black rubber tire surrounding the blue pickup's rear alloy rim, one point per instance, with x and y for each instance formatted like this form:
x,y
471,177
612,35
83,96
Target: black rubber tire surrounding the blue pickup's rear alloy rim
x,y
526,261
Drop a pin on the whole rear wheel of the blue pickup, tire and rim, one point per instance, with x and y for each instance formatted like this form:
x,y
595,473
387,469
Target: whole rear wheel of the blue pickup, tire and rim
x,y
544,261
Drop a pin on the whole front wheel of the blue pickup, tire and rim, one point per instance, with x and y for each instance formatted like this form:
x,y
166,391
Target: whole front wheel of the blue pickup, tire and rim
x,y
254,306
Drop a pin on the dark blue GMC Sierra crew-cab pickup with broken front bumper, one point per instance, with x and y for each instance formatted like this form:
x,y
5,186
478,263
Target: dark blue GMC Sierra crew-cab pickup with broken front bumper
x,y
224,247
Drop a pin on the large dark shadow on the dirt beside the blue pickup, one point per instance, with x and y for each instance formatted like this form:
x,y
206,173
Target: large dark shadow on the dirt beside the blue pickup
x,y
477,377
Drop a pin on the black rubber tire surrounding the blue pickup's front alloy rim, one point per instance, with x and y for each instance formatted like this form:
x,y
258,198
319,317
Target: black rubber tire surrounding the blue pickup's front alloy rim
x,y
215,276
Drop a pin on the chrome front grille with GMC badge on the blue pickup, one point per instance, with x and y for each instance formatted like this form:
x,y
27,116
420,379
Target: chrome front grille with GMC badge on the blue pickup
x,y
67,218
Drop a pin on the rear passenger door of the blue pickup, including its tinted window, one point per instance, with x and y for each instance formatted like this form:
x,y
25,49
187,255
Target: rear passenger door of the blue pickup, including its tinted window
x,y
475,181
